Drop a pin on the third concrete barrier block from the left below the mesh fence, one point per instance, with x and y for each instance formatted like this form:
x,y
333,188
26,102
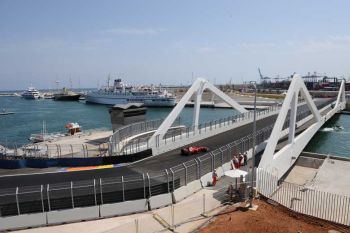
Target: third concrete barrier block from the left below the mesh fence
x,y
123,208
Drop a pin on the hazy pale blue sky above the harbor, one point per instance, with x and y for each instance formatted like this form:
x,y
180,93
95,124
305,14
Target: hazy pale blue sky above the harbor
x,y
169,42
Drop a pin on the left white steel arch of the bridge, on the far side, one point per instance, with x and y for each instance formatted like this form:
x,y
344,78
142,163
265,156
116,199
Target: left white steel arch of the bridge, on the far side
x,y
197,88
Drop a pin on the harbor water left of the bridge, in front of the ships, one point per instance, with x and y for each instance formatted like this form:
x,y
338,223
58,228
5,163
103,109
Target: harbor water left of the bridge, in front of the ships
x,y
30,115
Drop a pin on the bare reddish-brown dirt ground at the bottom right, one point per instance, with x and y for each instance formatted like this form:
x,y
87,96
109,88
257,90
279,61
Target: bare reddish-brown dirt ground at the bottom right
x,y
268,219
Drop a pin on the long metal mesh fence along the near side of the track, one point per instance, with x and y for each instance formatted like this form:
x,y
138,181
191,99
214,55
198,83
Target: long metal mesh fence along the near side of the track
x,y
23,200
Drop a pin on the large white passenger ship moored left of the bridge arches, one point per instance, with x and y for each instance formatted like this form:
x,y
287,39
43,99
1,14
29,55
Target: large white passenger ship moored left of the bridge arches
x,y
120,93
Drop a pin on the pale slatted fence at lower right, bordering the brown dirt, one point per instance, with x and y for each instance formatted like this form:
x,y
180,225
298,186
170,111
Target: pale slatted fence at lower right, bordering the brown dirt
x,y
324,205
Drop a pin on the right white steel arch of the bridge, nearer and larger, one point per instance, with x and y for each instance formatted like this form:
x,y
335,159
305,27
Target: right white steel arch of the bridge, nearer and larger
x,y
278,163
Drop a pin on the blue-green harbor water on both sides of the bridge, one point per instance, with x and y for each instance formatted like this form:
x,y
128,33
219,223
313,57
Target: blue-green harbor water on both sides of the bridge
x,y
30,115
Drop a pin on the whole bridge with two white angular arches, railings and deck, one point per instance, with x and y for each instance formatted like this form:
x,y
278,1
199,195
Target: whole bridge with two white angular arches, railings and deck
x,y
299,110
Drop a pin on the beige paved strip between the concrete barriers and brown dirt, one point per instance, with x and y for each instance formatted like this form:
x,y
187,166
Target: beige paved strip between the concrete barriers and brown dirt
x,y
203,206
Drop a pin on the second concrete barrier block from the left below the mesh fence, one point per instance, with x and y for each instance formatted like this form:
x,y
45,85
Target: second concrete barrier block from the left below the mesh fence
x,y
73,215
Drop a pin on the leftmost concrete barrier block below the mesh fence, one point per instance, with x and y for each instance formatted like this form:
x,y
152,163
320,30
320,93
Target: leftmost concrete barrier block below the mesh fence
x,y
22,221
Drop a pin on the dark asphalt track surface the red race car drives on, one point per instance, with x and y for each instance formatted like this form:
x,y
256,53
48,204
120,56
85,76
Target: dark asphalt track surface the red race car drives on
x,y
156,163
